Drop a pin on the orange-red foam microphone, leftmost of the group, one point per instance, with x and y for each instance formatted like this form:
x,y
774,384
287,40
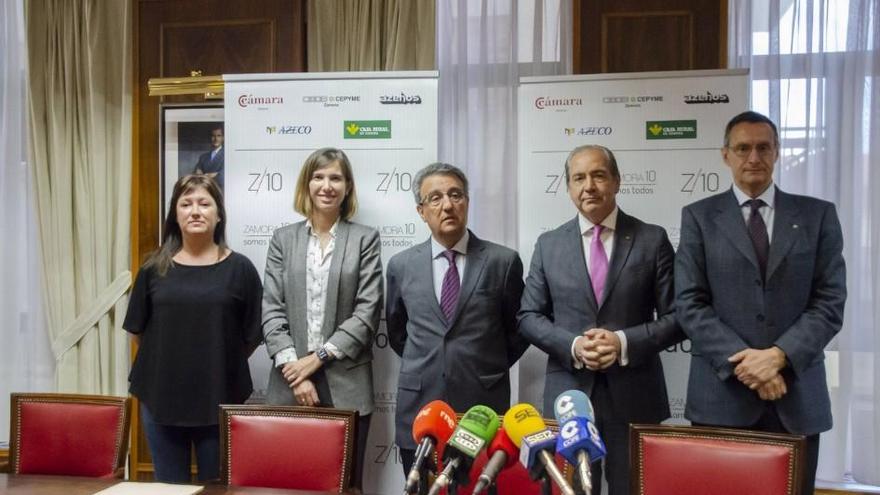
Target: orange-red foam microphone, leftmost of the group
x,y
432,427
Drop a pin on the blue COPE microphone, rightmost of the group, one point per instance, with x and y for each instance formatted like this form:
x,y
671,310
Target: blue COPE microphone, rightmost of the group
x,y
578,441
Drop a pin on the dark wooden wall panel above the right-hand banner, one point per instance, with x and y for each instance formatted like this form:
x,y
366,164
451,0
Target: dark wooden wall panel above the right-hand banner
x,y
649,35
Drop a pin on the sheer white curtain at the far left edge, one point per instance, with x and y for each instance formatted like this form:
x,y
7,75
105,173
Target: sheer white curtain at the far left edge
x,y
26,363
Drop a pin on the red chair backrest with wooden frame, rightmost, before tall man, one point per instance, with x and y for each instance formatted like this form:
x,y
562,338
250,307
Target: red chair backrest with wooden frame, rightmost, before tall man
x,y
720,461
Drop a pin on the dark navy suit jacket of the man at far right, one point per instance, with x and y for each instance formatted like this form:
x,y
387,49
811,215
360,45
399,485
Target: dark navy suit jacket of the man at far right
x,y
724,306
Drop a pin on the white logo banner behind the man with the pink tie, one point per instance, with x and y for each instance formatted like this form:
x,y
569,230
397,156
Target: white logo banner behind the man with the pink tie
x,y
666,130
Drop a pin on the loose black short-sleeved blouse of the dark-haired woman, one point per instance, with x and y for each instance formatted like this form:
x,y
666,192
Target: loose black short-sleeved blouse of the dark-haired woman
x,y
196,323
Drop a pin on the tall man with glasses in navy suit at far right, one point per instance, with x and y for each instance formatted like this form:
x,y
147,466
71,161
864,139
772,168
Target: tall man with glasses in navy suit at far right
x,y
760,289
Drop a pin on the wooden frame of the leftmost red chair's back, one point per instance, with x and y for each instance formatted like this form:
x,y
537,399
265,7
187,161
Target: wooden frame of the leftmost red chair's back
x,y
122,433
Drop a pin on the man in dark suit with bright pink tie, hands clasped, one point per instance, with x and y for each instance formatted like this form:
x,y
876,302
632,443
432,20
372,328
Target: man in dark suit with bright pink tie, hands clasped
x,y
590,299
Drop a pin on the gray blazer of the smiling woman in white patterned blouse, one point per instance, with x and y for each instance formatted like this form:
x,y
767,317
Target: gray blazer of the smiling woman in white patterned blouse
x,y
354,299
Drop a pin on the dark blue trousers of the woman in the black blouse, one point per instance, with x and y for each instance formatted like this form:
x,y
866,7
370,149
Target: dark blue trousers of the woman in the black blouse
x,y
171,449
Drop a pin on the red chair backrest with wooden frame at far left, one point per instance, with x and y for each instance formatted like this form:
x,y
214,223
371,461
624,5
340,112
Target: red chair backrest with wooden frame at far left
x,y
69,434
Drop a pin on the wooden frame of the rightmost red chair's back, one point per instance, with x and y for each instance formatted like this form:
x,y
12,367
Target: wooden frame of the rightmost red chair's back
x,y
795,443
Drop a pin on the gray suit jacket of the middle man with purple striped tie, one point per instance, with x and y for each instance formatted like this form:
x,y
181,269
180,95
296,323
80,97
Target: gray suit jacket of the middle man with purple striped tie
x,y
466,361
